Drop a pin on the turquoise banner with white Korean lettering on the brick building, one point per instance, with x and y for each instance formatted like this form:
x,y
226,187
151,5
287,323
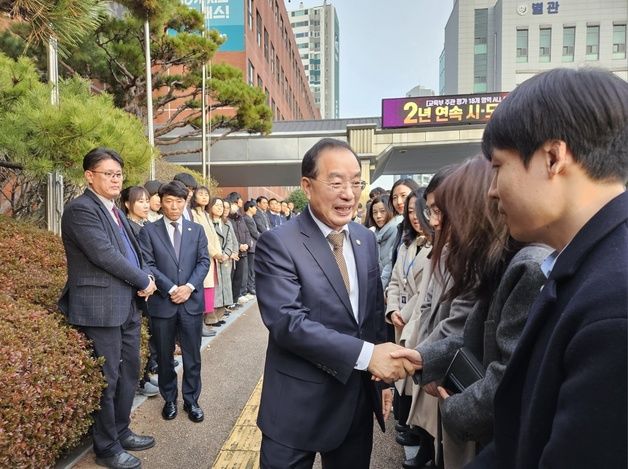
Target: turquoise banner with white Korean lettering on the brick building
x,y
226,16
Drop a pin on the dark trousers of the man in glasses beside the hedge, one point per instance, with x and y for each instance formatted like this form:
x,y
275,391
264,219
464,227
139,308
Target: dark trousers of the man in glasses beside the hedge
x,y
120,346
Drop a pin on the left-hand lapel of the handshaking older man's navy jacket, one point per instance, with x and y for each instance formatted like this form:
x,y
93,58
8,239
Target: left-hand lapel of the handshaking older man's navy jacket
x,y
319,248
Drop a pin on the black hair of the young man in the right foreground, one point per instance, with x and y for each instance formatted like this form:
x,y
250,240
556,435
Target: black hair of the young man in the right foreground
x,y
586,108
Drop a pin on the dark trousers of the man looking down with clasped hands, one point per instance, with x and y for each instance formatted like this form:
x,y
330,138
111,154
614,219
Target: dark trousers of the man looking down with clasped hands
x,y
188,328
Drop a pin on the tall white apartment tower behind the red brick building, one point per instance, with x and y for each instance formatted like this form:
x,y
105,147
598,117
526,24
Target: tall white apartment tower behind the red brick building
x,y
317,36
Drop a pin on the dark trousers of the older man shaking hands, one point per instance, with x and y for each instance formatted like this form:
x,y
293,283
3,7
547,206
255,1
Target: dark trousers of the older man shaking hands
x,y
354,452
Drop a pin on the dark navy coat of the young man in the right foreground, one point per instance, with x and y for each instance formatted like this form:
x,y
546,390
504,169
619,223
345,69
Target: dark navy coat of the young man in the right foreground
x,y
562,401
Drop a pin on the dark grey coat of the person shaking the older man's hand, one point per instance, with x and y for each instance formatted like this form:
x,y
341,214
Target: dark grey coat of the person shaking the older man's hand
x,y
491,333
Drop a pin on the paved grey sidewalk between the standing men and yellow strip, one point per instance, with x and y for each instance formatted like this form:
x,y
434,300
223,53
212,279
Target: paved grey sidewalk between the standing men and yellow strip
x,y
181,442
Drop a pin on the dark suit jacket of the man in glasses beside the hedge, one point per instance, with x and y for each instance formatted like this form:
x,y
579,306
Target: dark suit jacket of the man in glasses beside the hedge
x,y
102,283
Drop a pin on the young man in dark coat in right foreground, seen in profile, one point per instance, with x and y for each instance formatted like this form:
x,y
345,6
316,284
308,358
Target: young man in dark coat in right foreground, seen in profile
x,y
559,145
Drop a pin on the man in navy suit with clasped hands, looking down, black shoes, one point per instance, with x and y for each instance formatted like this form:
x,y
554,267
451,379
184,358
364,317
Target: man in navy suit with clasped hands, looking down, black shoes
x,y
175,250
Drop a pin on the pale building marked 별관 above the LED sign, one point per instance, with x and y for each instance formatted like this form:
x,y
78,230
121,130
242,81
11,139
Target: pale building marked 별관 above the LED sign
x,y
495,45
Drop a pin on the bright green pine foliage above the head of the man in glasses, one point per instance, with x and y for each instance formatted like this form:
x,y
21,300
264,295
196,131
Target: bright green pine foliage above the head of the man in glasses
x,y
44,137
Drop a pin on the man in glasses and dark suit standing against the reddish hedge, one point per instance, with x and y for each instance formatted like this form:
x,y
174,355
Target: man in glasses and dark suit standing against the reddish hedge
x,y
105,279
